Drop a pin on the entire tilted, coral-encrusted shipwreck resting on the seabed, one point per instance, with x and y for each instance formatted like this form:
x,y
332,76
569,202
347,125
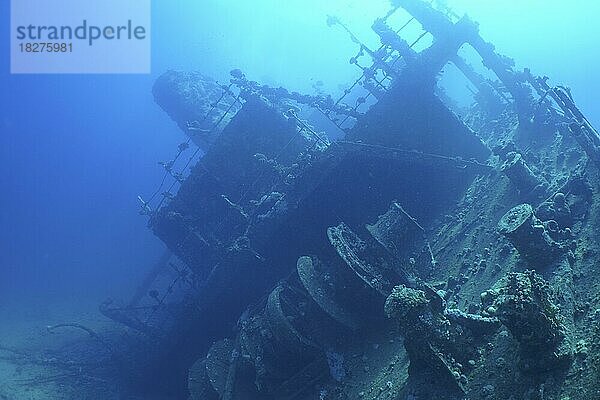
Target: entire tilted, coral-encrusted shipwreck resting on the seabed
x,y
429,242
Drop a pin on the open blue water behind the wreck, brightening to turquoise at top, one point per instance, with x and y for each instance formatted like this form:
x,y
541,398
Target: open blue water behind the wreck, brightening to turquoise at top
x,y
77,150
